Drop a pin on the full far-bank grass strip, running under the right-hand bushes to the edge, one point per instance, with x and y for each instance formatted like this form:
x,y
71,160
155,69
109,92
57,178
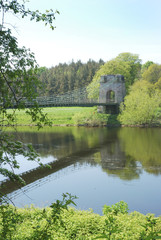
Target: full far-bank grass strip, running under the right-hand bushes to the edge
x,y
86,116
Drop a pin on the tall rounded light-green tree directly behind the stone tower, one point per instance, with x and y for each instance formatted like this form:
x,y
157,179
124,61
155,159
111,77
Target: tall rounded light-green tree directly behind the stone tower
x,y
126,64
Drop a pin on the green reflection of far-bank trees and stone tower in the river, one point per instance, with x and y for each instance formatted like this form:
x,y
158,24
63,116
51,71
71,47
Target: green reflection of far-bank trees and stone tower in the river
x,y
119,148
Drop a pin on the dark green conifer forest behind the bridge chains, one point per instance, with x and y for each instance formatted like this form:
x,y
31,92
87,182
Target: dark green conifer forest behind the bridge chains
x,y
67,77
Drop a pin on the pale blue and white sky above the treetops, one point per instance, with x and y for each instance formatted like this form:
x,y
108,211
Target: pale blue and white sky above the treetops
x,y
92,29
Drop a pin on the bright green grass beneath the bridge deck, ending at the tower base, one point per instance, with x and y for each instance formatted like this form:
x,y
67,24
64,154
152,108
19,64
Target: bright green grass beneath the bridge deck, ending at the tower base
x,y
70,116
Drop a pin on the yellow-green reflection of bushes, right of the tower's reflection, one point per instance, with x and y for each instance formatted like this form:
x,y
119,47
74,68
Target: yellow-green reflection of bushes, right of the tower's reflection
x,y
144,145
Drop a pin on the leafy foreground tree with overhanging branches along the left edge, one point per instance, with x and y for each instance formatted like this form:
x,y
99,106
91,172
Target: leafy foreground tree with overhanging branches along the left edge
x,y
18,84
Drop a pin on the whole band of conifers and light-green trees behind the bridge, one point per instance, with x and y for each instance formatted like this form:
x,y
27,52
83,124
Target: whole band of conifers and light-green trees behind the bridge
x,y
142,104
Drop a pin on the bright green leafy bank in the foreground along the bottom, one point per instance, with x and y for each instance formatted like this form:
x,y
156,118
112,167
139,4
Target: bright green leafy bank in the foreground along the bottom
x,y
60,222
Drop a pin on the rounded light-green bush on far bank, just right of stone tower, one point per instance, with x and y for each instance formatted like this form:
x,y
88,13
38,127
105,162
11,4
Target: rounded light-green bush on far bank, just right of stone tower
x,y
140,106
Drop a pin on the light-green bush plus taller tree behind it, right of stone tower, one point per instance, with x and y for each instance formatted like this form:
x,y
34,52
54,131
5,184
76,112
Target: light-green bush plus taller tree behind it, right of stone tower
x,y
141,106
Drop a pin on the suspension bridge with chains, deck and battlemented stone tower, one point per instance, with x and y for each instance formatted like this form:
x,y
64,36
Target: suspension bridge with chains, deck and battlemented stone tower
x,y
111,94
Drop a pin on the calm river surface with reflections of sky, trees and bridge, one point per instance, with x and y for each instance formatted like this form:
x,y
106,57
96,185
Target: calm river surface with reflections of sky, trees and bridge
x,y
99,165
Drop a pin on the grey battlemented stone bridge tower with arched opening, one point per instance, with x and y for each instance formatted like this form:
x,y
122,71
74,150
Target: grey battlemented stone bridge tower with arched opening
x,y
112,93
